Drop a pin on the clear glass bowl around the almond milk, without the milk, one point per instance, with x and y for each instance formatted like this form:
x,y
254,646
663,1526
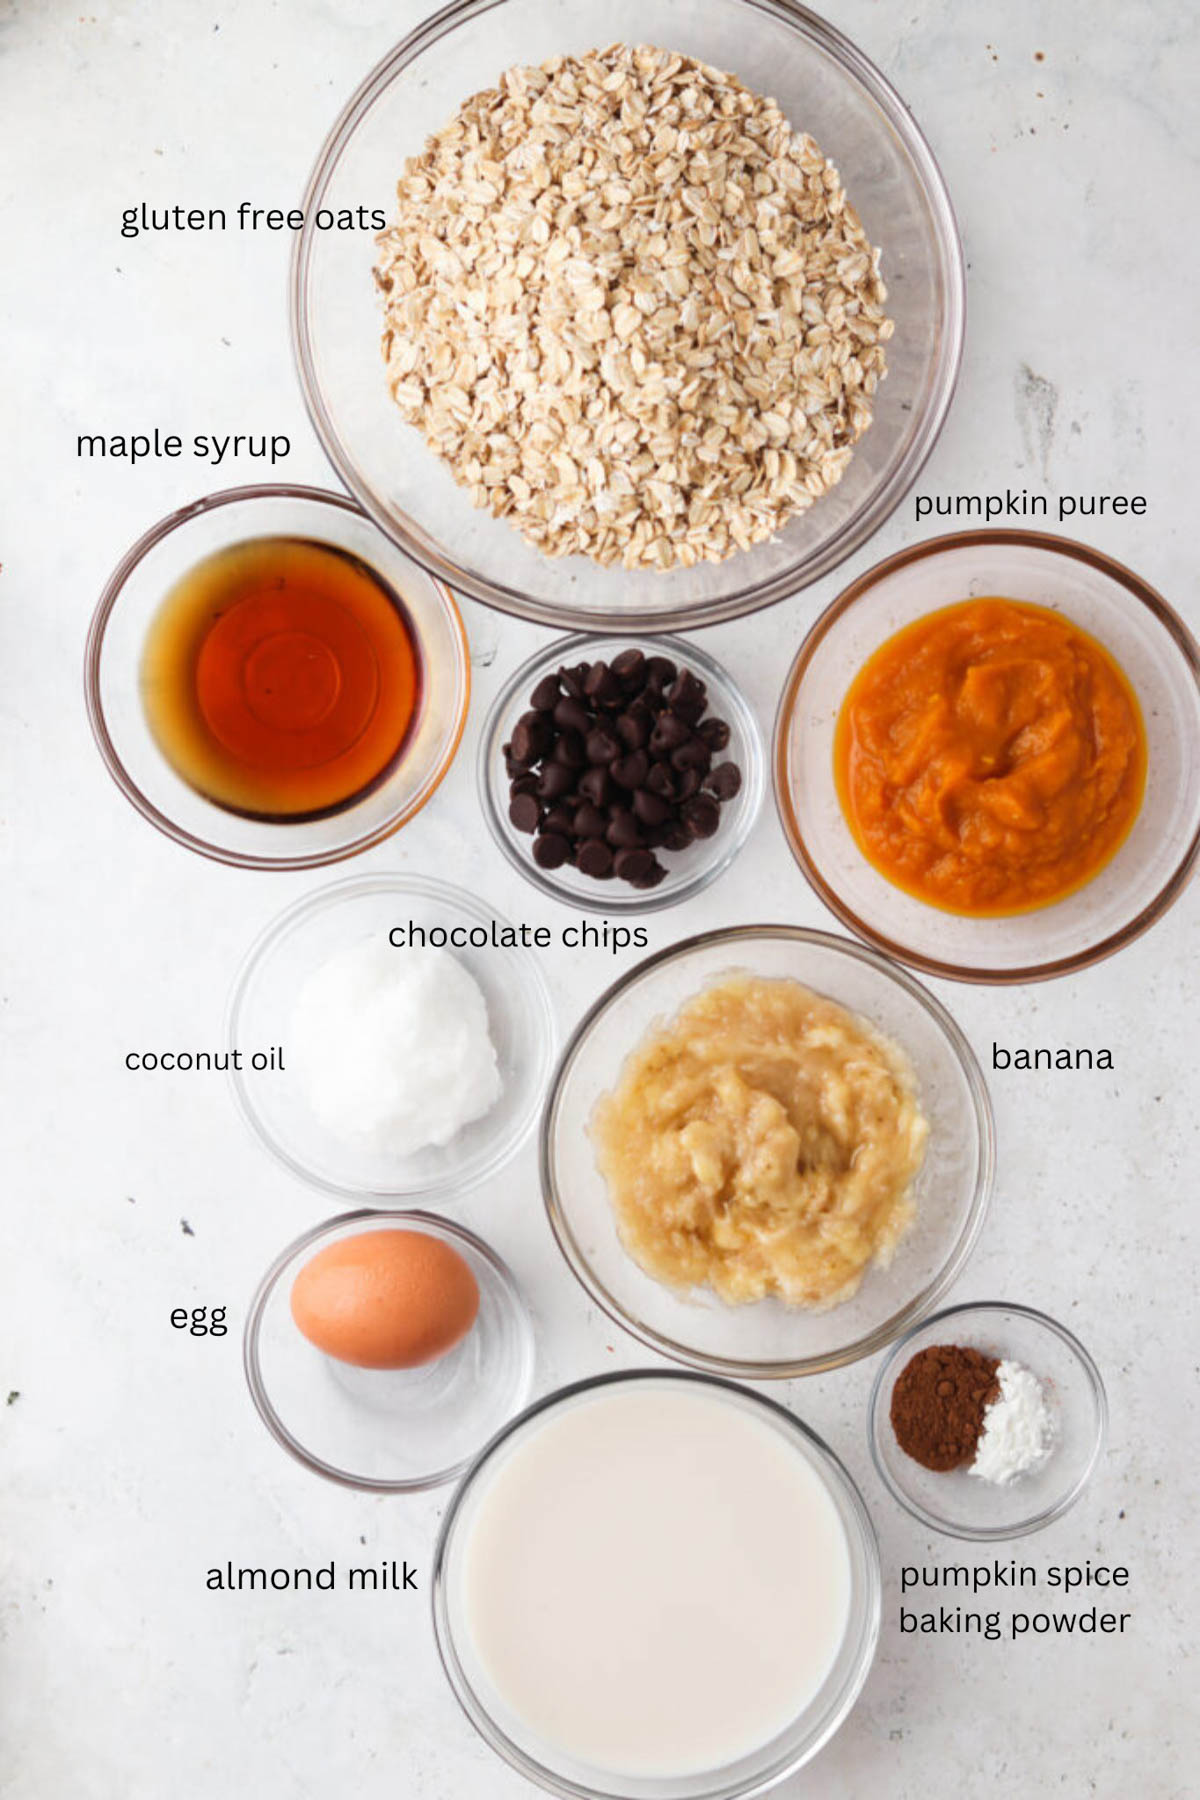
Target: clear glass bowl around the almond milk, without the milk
x,y
749,1776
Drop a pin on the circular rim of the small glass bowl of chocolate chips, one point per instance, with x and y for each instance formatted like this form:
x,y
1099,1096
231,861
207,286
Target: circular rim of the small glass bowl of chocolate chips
x,y
607,899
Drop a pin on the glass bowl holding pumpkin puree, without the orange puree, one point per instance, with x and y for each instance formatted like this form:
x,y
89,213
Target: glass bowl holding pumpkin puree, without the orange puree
x,y
1160,658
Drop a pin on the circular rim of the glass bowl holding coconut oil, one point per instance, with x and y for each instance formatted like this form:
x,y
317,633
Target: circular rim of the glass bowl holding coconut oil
x,y
332,895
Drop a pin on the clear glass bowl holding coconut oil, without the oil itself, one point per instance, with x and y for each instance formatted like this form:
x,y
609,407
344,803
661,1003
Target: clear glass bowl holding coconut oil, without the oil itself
x,y
309,933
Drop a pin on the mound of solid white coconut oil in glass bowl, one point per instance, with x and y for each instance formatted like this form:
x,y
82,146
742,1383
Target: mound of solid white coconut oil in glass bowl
x,y
393,1047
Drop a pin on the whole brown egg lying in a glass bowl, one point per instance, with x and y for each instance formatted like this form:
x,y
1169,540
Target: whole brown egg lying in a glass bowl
x,y
386,1299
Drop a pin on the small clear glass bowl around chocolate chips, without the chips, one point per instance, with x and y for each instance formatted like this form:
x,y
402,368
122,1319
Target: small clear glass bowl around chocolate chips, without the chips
x,y
690,870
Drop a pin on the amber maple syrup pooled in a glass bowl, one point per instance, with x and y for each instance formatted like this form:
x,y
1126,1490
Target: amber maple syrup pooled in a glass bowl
x,y
282,679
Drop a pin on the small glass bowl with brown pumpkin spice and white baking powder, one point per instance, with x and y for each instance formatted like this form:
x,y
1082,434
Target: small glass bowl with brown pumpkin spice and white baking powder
x,y
987,1421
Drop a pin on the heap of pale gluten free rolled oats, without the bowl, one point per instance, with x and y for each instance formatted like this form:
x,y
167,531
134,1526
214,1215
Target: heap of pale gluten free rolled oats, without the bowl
x,y
632,309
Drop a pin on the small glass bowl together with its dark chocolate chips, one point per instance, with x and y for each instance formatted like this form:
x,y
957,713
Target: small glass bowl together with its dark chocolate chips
x,y
622,775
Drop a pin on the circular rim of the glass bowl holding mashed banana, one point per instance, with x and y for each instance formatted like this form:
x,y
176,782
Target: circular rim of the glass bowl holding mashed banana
x,y
922,1304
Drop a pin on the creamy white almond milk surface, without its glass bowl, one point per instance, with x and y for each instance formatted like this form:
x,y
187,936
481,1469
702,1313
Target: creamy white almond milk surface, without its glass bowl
x,y
654,1579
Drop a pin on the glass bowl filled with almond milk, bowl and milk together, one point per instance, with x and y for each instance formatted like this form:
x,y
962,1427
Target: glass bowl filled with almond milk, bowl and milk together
x,y
658,1587
